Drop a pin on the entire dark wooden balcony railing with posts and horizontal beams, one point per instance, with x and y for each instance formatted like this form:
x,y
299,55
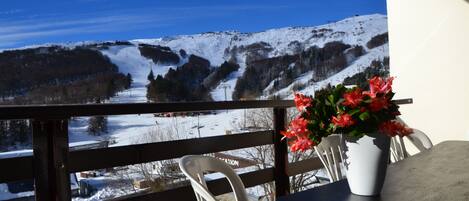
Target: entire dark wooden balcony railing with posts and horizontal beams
x,y
52,161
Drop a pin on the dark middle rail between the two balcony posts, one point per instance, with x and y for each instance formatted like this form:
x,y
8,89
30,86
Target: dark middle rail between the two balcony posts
x,y
142,153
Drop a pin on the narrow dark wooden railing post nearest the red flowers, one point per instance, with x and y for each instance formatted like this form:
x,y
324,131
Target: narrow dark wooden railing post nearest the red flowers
x,y
282,182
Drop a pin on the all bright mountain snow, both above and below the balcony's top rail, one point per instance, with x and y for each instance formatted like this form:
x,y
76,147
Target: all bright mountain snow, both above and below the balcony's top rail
x,y
283,49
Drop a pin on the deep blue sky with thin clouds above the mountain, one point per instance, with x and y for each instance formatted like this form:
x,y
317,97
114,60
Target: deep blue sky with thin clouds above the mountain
x,y
27,22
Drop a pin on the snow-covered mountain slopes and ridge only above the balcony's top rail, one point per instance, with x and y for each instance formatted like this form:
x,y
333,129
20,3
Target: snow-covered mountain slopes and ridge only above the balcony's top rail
x,y
242,48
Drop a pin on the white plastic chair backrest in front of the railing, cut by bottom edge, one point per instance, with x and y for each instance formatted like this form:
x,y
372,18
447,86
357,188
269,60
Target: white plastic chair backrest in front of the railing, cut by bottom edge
x,y
194,168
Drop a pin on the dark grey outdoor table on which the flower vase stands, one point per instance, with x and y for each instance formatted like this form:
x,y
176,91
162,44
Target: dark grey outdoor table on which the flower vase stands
x,y
441,173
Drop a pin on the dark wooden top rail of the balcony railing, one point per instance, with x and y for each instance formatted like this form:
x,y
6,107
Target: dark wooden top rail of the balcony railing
x,y
73,110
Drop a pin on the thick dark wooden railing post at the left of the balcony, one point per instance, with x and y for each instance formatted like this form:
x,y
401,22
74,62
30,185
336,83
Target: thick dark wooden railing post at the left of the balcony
x,y
50,144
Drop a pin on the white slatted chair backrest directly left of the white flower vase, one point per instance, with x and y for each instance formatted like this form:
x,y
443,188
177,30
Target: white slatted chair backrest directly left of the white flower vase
x,y
331,153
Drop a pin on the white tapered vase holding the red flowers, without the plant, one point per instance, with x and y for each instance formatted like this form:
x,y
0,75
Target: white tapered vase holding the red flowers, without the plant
x,y
366,163
